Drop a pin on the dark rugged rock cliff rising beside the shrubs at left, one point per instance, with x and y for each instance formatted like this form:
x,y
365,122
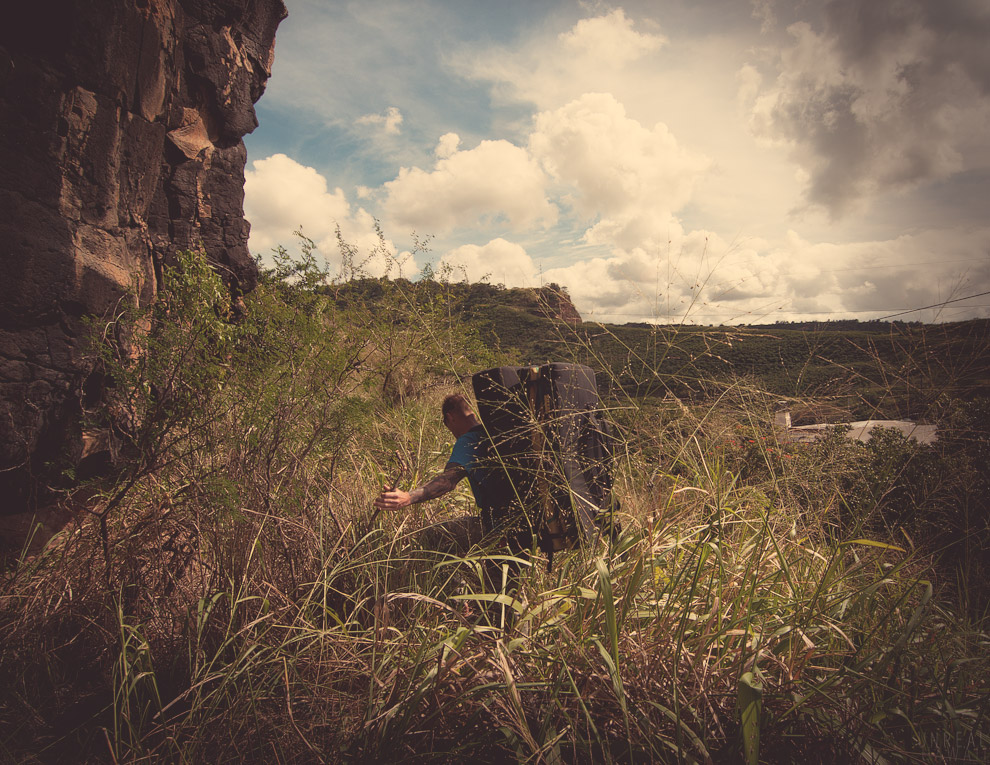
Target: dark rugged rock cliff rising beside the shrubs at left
x,y
121,125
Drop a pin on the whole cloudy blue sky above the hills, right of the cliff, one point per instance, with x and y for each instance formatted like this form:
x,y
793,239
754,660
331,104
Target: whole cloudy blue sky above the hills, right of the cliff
x,y
673,161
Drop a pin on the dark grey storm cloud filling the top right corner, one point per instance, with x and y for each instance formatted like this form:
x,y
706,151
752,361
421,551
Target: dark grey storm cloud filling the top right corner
x,y
883,97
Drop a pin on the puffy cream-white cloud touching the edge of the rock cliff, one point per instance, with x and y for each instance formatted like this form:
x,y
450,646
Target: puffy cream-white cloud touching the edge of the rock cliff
x,y
281,196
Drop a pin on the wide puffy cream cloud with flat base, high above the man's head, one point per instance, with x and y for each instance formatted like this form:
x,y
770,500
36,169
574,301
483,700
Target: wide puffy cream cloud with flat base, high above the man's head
x,y
495,181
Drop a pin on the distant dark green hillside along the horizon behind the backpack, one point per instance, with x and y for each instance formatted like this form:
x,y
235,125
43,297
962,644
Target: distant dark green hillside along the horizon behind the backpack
x,y
857,369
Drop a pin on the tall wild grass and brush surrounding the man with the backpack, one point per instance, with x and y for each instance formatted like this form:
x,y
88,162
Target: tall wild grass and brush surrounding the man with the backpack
x,y
231,595
